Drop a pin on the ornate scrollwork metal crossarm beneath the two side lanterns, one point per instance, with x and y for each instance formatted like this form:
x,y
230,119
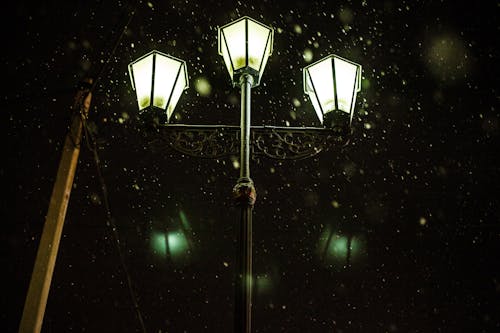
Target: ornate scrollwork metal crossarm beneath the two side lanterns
x,y
283,143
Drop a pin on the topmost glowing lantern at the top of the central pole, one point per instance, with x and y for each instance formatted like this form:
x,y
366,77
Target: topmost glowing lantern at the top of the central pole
x,y
245,45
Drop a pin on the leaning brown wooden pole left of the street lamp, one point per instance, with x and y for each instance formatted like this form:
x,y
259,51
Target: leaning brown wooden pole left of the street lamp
x,y
38,291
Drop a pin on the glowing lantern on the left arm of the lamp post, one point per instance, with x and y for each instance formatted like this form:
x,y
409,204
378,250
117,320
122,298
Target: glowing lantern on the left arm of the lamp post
x,y
159,80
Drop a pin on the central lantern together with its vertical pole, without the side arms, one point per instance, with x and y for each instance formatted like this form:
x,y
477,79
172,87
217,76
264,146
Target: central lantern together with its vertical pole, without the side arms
x,y
245,45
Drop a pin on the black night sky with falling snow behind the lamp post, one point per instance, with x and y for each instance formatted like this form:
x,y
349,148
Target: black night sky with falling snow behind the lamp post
x,y
414,194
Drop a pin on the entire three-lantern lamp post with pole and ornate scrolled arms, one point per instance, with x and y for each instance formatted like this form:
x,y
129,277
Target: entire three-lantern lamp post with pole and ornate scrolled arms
x,y
245,45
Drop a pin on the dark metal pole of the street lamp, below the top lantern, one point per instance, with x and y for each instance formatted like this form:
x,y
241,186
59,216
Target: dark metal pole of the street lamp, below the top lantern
x,y
245,195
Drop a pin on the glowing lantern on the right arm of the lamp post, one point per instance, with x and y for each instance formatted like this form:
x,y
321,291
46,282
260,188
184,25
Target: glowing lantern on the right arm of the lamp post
x,y
332,84
